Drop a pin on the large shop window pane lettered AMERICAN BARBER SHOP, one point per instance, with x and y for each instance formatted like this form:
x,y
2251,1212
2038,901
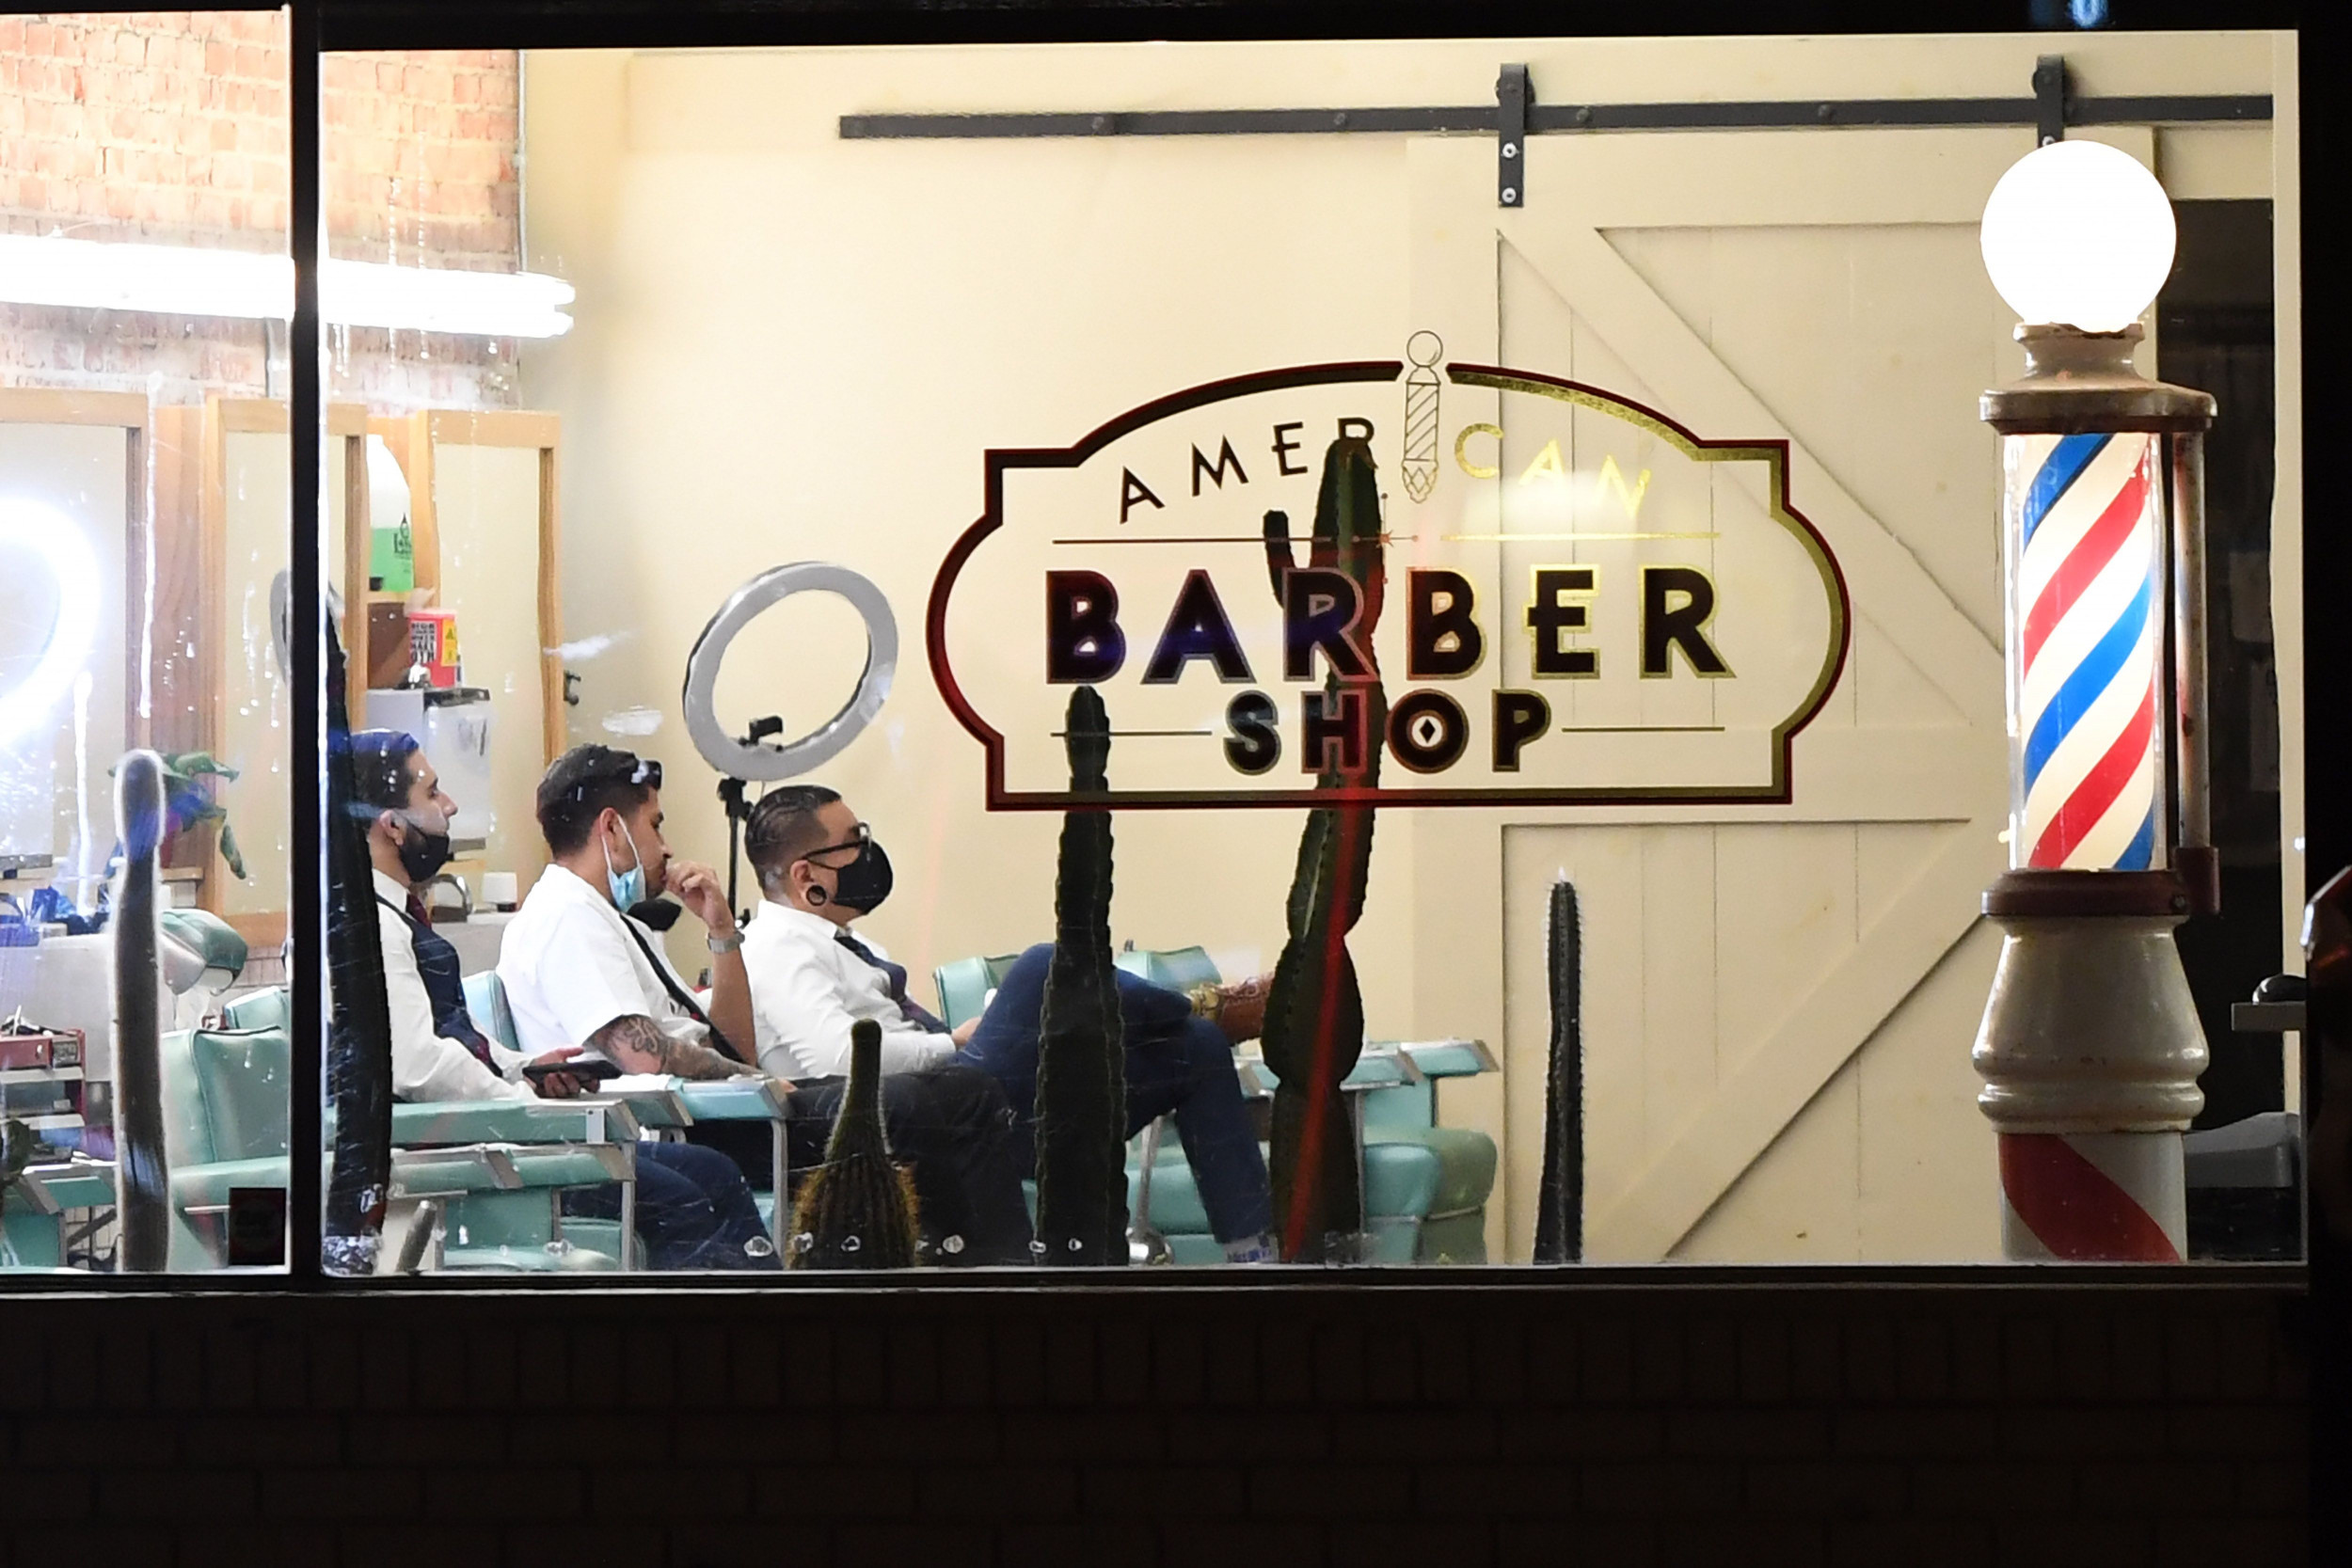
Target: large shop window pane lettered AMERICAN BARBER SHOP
x,y
1339,697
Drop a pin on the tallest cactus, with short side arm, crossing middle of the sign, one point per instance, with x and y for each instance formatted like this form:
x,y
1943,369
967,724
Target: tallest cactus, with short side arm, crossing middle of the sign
x,y
1316,1010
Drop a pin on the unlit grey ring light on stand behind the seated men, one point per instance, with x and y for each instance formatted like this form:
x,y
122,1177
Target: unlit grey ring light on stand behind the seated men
x,y
770,763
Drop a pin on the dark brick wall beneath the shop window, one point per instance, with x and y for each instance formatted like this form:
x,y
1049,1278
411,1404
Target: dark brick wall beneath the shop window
x,y
1629,1426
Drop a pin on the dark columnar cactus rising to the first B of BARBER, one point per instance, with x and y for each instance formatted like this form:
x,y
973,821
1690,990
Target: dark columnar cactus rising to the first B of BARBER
x,y
1083,1050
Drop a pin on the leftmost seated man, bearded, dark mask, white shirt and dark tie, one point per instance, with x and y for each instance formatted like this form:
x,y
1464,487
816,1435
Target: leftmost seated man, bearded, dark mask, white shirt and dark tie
x,y
695,1212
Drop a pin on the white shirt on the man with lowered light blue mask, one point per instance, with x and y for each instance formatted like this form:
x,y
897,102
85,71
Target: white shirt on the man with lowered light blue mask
x,y
570,967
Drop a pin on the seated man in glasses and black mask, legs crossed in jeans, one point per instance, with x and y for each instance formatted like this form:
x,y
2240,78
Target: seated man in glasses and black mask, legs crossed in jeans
x,y
813,974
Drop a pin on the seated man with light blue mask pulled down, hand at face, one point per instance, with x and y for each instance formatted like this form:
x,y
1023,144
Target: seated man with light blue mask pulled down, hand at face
x,y
582,965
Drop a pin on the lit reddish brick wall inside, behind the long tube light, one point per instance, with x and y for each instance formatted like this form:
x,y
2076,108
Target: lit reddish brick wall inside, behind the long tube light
x,y
173,128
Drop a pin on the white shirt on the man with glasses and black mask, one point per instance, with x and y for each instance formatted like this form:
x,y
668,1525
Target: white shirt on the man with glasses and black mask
x,y
806,993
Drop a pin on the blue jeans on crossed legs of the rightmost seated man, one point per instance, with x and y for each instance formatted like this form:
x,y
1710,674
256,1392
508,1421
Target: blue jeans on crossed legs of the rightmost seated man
x,y
1177,1066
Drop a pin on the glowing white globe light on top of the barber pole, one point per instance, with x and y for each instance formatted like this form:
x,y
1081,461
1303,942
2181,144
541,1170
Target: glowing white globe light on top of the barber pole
x,y
2078,234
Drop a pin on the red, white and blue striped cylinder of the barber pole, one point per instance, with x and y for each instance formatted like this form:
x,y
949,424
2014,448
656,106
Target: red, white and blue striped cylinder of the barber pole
x,y
2090,634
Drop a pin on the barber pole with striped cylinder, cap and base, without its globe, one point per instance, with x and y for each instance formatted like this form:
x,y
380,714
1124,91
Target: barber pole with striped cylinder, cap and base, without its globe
x,y
2092,1043
